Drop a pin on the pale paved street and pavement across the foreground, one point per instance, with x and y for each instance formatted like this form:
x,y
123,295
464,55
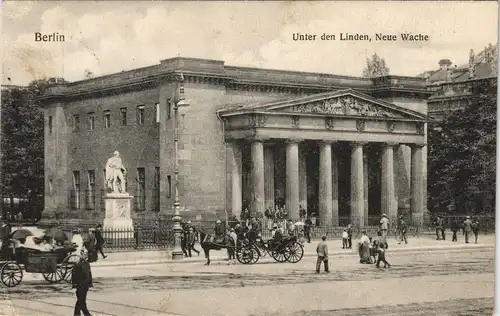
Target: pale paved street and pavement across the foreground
x,y
433,281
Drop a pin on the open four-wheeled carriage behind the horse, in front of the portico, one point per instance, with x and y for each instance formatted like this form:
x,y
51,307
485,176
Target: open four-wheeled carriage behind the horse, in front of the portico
x,y
286,250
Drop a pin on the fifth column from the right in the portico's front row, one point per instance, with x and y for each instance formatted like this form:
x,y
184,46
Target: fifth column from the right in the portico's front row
x,y
292,180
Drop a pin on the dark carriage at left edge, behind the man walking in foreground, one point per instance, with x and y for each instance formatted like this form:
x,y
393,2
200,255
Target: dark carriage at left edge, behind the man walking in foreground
x,y
55,265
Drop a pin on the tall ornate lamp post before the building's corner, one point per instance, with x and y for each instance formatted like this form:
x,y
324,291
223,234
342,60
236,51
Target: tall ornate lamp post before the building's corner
x,y
181,106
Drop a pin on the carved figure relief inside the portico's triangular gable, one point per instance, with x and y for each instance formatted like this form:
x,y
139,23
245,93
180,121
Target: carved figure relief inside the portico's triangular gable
x,y
345,105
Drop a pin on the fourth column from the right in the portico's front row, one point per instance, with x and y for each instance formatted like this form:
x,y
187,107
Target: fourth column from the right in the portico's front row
x,y
325,184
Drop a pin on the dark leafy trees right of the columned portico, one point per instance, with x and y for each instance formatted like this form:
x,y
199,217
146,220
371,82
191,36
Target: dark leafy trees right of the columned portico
x,y
462,155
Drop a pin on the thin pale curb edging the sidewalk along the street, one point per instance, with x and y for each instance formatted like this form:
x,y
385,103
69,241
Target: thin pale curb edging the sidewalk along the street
x,y
306,255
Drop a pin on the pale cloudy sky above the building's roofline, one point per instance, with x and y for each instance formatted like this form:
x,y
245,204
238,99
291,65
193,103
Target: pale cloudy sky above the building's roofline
x,y
110,36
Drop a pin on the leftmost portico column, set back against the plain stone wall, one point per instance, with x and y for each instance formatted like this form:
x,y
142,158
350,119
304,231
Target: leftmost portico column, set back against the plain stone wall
x,y
235,161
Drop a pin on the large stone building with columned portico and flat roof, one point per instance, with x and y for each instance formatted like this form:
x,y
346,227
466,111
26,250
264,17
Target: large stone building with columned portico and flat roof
x,y
347,148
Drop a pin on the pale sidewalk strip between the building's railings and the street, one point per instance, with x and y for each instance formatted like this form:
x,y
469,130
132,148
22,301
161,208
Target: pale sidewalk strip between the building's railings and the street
x,y
415,244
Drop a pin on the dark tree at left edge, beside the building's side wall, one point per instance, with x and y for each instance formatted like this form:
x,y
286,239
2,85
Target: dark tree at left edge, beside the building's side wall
x,y
23,146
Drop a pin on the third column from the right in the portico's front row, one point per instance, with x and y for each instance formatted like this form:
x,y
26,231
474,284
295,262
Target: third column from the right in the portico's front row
x,y
357,185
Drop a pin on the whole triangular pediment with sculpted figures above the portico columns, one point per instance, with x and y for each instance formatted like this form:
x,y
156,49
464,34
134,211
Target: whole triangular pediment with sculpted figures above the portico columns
x,y
348,103
